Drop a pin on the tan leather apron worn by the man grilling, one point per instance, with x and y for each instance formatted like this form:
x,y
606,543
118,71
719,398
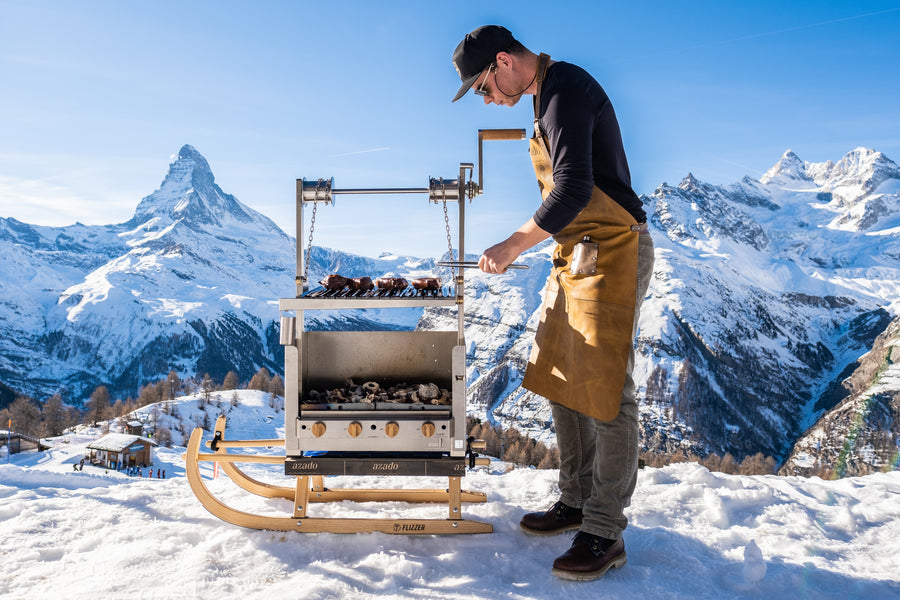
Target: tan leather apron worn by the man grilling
x,y
581,348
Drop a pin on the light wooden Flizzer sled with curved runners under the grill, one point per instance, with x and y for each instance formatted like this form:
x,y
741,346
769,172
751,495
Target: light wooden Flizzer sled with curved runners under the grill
x,y
311,488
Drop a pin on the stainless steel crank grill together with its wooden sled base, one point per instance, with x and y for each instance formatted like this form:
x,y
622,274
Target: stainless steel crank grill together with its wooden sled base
x,y
365,402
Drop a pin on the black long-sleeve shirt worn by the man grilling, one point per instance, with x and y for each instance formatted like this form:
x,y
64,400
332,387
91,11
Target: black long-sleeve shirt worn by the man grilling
x,y
585,147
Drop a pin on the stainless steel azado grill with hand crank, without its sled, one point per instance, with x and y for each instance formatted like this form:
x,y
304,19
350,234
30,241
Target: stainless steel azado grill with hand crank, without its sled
x,y
324,436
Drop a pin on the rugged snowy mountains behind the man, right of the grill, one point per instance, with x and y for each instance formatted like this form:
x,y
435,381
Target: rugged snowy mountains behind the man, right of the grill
x,y
765,294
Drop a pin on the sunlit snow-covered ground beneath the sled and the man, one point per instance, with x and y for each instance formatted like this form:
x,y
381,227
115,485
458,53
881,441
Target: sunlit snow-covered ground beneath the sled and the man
x,y
692,534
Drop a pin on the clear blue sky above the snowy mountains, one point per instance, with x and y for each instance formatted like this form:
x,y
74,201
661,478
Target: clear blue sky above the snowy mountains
x,y
97,96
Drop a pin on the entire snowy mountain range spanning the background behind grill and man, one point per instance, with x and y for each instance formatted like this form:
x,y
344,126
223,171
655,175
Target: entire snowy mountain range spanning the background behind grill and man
x,y
765,295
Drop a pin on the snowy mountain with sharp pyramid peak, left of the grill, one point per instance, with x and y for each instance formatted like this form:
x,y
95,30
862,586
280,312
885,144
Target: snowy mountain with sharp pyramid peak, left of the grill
x,y
190,283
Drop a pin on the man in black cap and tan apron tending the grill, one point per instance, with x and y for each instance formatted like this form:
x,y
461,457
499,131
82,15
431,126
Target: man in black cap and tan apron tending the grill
x,y
583,354
